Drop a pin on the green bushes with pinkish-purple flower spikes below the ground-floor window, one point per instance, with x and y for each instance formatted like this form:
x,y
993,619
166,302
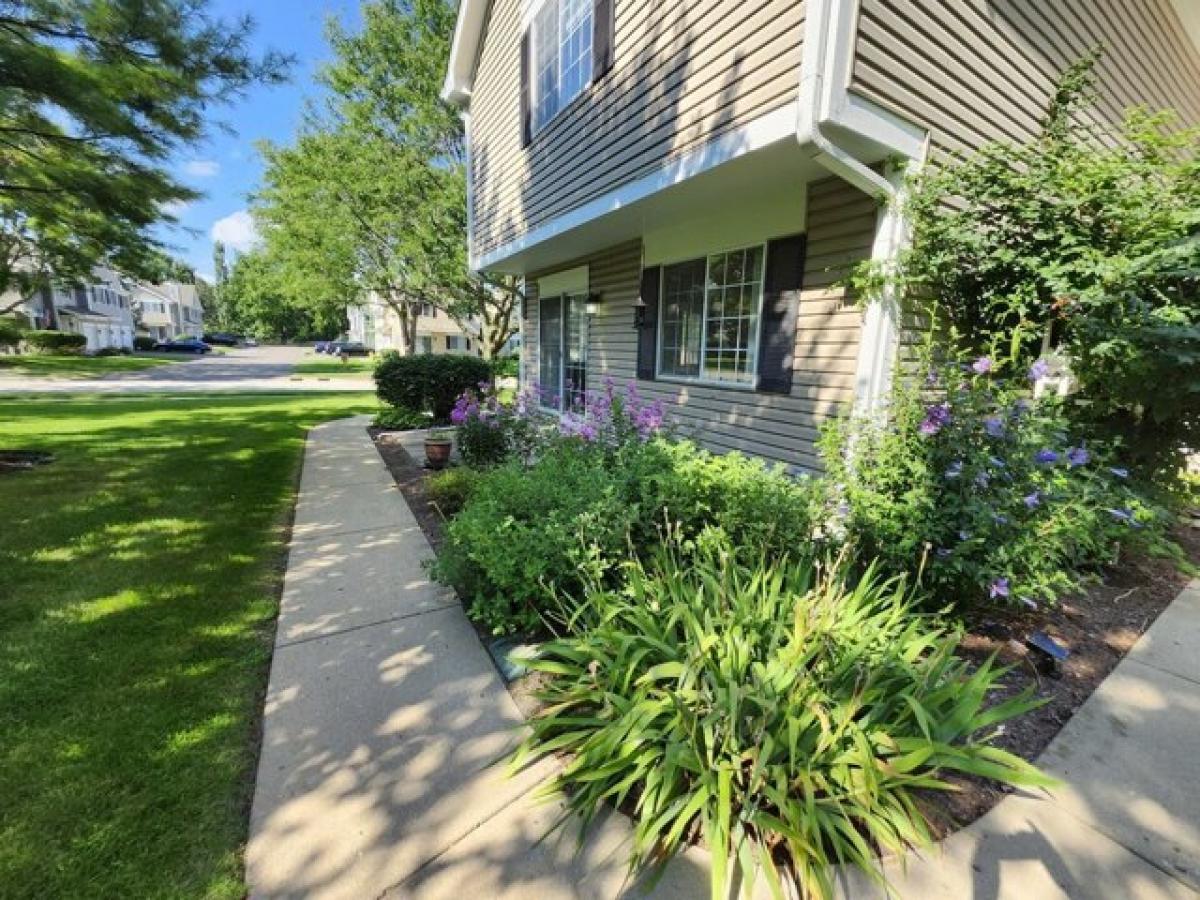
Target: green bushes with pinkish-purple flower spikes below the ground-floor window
x,y
575,499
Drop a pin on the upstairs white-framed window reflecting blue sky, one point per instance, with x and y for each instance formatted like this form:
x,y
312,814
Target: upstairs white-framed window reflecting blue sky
x,y
562,56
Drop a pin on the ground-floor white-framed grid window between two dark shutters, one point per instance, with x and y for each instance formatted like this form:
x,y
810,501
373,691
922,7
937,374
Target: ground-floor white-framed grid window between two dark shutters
x,y
710,317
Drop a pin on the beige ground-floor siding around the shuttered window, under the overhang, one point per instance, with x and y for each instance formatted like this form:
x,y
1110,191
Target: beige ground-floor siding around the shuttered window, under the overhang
x,y
778,428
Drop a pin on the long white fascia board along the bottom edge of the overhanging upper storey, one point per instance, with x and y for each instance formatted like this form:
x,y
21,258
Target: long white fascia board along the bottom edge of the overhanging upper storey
x,y
761,133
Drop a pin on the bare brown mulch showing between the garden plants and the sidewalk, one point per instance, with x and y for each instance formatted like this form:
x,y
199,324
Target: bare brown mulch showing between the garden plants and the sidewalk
x,y
1099,627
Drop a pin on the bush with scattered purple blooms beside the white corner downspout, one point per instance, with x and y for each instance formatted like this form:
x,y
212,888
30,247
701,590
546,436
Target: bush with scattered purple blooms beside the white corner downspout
x,y
982,493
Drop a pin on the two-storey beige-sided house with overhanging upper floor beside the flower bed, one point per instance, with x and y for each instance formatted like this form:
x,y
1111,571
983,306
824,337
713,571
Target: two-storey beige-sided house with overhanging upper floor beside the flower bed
x,y
683,187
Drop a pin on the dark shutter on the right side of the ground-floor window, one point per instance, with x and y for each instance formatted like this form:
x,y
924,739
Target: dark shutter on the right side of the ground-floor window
x,y
781,305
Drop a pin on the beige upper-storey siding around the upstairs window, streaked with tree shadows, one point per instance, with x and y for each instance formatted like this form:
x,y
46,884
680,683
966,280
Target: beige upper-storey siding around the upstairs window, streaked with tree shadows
x,y
683,74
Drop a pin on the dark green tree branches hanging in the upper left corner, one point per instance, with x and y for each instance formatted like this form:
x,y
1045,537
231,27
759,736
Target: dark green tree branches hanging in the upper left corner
x,y
95,99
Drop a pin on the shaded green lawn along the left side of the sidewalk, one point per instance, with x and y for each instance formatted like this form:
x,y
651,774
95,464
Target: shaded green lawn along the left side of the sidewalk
x,y
140,579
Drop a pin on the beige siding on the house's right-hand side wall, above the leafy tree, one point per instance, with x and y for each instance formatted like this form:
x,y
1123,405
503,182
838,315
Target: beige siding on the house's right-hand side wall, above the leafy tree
x,y
977,71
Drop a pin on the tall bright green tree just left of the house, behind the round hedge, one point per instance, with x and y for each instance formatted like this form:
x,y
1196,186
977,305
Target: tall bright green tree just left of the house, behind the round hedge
x,y
373,196
